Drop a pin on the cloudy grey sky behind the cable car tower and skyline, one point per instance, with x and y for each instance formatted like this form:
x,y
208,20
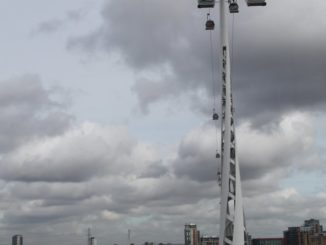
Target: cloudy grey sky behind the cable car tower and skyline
x,y
106,118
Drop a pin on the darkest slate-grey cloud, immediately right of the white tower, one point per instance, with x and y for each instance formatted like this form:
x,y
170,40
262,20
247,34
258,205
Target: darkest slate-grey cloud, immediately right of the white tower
x,y
288,80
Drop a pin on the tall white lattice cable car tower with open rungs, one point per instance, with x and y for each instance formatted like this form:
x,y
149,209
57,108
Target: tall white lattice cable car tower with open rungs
x,y
232,223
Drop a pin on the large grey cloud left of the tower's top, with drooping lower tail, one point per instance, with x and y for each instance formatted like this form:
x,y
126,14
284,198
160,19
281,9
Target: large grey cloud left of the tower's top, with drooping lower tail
x,y
153,37
